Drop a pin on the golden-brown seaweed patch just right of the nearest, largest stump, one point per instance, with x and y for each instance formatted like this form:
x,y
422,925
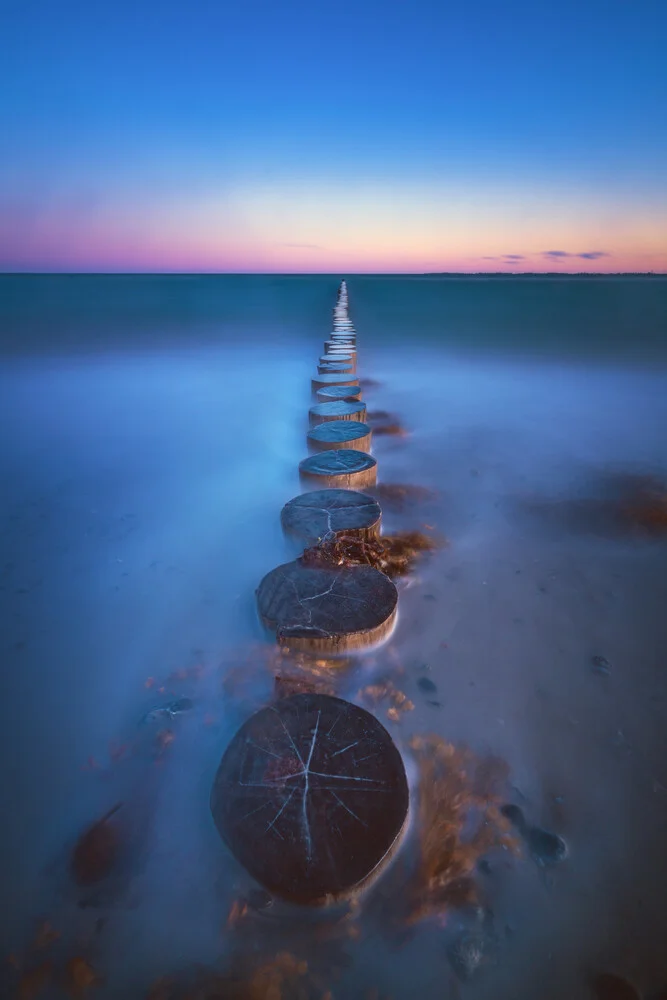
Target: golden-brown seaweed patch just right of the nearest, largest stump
x,y
459,820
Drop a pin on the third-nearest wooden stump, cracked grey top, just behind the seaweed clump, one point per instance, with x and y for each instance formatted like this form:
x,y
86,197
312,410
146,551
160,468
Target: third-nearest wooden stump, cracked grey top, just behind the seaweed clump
x,y
311,516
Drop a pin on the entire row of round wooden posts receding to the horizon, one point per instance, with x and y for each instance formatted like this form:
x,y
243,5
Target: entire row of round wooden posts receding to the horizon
x,y
311,795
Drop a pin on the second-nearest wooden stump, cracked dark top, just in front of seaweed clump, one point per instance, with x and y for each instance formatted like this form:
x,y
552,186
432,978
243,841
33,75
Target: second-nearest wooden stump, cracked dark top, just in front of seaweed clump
x,y
327,609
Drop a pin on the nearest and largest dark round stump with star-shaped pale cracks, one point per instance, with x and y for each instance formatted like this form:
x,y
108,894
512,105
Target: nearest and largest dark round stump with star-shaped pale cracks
x,y
311,797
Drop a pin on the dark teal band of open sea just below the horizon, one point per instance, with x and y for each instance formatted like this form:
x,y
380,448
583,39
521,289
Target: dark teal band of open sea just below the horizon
x,y
620,317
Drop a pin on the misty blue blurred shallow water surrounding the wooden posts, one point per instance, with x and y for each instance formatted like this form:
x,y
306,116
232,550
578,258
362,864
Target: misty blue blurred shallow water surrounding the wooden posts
x,y
141,490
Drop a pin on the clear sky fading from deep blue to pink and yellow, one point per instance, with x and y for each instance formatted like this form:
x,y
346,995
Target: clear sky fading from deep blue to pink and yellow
x,y
251,135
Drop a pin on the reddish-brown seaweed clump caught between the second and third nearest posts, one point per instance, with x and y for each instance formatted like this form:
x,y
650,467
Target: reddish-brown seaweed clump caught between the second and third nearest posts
x,y
394,555
